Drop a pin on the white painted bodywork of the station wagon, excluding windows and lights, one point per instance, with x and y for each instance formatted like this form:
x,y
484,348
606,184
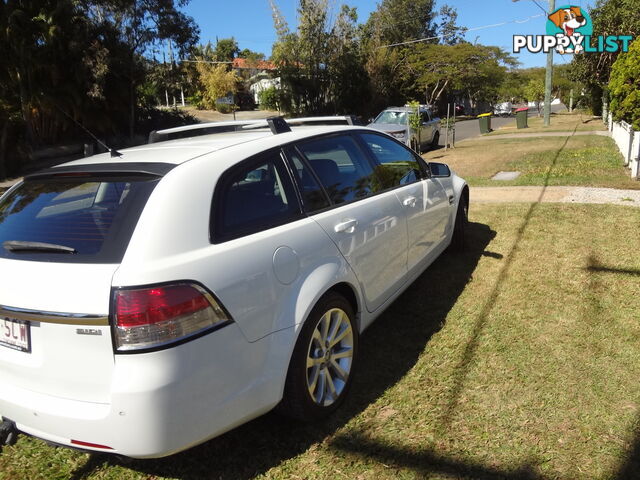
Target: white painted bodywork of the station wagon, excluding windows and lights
x,y
74,387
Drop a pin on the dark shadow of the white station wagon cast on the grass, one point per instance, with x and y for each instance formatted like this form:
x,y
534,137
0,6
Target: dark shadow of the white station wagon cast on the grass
x,y
388,350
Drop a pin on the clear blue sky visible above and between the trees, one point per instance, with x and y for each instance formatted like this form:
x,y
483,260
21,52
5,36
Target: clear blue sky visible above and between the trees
x,y
250,21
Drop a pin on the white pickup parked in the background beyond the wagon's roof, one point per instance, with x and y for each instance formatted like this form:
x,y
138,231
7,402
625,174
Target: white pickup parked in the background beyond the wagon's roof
x,y
395,122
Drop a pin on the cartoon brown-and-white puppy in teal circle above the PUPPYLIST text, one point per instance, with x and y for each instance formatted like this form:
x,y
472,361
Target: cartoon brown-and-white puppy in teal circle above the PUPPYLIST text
x,y
572,23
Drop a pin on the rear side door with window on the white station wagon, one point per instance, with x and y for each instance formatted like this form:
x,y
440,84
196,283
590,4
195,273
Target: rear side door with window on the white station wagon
x,y
368,226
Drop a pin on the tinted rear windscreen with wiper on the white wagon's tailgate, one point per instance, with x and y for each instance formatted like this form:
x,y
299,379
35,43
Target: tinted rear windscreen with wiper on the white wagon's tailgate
x,y
83,220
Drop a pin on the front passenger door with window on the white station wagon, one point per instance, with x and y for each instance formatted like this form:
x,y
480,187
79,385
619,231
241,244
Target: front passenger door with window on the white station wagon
x,y
424,199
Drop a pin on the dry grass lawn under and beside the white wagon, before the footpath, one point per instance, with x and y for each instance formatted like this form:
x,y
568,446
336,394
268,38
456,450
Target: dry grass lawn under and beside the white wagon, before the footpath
x,y
518,359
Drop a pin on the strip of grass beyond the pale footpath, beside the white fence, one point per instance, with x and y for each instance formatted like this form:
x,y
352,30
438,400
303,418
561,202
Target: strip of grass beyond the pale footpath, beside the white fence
x,y
576,161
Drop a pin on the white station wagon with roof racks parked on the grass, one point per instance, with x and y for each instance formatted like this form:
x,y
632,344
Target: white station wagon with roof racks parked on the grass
x,y
155,298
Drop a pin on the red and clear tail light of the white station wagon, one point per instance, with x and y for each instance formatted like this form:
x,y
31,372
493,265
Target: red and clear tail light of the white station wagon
x,y
158,316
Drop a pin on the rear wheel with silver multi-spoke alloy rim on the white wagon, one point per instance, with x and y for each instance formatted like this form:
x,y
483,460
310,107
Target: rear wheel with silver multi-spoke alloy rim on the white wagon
x,y
323,360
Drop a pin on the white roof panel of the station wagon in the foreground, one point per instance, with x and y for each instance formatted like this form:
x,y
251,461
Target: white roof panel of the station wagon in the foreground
x,y
184,149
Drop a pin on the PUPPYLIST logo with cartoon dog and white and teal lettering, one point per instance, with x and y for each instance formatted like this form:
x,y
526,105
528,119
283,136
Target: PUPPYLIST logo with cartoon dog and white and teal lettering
x,y
569,30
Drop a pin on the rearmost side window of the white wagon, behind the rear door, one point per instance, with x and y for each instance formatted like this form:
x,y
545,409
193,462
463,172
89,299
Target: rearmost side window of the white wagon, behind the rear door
x,y
255,195
